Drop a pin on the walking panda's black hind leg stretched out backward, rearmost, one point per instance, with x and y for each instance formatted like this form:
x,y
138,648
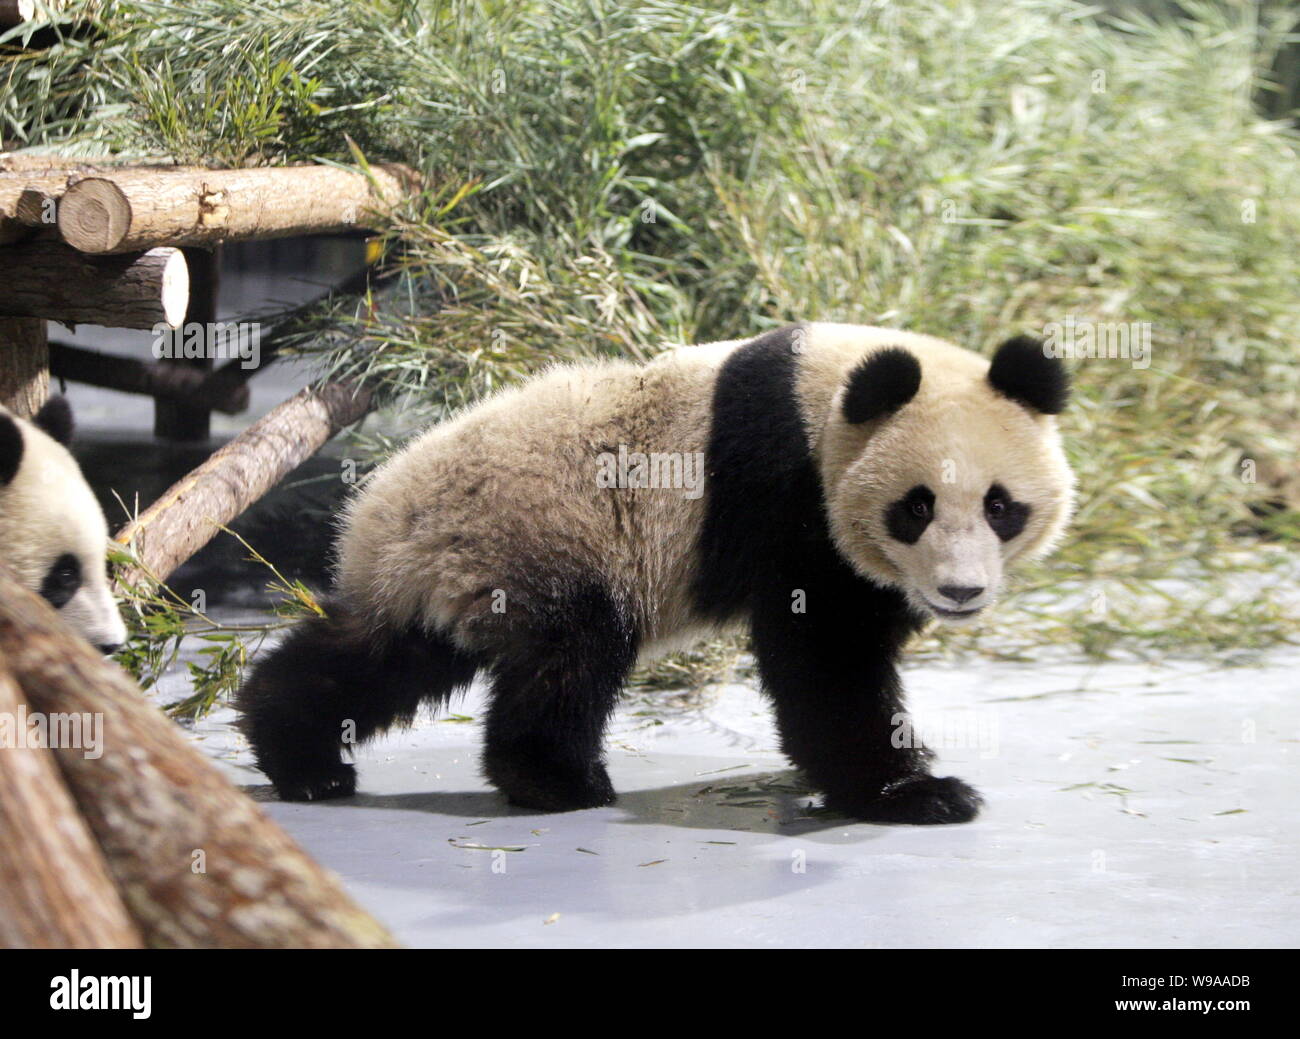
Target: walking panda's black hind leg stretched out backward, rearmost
x,y
333,683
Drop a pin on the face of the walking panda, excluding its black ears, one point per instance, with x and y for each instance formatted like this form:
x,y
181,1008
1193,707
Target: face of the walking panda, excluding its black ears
x,y
948,490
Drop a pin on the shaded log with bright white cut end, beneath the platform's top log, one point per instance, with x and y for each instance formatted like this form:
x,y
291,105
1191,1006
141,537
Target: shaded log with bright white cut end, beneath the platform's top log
x,y
46,279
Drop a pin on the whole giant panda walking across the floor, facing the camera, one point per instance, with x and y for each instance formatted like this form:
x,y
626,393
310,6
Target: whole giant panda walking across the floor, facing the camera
x,y
857,482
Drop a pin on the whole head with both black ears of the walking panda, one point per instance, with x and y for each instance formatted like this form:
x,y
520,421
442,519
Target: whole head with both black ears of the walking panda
x,y
947,469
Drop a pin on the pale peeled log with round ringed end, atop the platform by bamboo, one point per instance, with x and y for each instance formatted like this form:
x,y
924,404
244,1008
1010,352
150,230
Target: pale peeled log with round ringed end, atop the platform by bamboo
x,y
135,210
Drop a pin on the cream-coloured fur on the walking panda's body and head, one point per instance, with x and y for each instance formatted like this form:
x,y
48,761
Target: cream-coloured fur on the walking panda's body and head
x,y
436,534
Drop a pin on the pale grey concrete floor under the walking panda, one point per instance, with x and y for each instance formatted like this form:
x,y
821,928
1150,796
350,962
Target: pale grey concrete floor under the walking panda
x,y
1128,806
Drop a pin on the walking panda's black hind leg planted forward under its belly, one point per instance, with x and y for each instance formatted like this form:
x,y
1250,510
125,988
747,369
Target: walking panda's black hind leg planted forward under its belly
x,y
552,698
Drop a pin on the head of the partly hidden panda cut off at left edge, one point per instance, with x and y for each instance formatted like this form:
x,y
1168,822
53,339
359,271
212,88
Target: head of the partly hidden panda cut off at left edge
x,y
53,530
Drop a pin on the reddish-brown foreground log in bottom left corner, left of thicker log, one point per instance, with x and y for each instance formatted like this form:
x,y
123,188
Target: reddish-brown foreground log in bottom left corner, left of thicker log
x,y
55,889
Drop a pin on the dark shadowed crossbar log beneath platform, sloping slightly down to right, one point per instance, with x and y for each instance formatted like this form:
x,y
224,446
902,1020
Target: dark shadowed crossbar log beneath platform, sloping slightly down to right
x,y
164,380
